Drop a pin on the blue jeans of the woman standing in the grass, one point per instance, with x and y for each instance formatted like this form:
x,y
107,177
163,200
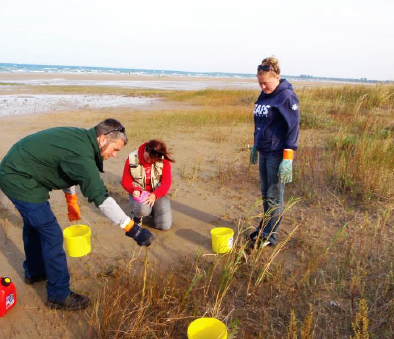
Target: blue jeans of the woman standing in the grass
x,y
272,192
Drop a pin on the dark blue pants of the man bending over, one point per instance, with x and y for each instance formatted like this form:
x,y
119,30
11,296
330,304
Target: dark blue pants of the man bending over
x,y
43,242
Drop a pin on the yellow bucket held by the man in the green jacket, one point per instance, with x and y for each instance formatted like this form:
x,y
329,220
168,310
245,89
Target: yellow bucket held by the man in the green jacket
x,y
77,240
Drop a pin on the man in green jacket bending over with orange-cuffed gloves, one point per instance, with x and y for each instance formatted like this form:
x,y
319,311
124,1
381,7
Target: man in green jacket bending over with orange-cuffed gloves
x,y
54,159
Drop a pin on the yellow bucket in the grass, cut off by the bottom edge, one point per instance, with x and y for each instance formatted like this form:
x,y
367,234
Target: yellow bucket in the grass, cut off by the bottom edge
x,y
207,328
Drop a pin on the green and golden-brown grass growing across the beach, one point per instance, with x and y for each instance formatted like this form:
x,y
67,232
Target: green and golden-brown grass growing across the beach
x,y
331,274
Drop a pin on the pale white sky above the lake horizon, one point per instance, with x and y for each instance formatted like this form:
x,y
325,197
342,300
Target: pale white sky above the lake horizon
x,y
336,38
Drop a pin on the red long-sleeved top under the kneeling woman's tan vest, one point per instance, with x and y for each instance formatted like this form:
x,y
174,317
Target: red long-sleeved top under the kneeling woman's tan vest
x,y
165,182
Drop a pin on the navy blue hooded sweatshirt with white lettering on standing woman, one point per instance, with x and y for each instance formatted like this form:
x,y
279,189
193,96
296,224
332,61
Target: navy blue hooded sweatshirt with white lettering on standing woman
x,y
276,120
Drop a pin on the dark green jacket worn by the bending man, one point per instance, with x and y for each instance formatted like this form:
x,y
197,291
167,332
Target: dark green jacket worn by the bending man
x,y
53,159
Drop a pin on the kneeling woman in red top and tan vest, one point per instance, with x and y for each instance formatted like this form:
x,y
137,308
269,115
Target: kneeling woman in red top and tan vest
x,y
147,177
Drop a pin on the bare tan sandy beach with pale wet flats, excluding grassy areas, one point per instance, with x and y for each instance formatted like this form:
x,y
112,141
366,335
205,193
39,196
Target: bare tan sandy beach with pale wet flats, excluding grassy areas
x,y
25,110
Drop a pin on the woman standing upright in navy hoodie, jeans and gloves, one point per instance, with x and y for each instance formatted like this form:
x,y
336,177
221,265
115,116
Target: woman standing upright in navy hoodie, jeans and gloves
x,y
276,120
